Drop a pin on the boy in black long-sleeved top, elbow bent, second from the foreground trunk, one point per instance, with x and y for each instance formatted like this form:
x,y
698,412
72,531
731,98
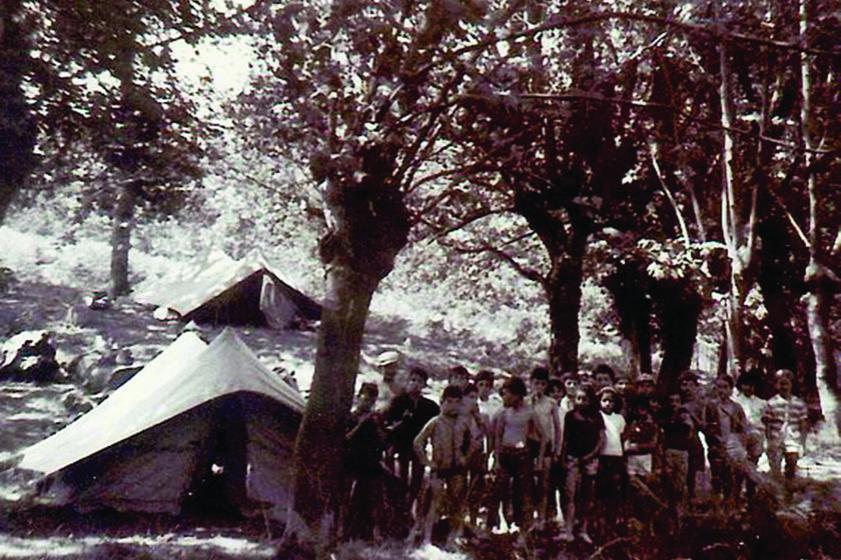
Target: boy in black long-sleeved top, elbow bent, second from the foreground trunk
x,y
407,414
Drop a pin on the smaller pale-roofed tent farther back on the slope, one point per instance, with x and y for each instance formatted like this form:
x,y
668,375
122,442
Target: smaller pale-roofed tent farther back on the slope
x,y
227,291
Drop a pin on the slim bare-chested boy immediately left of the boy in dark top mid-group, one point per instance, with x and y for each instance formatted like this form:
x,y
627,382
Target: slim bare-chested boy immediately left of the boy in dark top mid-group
x,y
546,412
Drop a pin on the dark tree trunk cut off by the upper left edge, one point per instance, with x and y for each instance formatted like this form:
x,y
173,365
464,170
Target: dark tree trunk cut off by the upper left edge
x,y
17,127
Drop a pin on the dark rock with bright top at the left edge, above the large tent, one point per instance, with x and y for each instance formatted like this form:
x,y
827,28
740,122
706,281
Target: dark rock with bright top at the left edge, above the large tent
x,y
30,356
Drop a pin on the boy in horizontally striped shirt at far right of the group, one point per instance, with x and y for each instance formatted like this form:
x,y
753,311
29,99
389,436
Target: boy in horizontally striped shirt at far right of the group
x,y
785,418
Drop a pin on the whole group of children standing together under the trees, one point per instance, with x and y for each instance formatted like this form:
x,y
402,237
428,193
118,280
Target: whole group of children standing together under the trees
x,y
558,449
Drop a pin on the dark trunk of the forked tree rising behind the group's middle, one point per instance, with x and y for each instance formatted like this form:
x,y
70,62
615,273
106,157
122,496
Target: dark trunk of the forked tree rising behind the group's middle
x,y
563,289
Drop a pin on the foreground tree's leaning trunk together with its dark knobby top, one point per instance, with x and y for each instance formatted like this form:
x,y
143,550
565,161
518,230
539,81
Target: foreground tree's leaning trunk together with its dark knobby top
x,y
368,225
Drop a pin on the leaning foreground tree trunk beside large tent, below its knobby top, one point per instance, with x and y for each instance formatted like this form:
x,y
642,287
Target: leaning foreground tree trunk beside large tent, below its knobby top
x,y
320,444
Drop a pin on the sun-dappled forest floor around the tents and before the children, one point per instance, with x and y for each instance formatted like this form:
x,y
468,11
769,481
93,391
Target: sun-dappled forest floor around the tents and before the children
x,y
804,524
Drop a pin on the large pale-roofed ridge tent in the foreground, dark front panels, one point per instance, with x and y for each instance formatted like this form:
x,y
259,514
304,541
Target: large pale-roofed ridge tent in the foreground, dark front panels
x,y
201,425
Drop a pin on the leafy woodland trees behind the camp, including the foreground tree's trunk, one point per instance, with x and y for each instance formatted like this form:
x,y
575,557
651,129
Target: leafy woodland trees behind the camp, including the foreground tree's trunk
x,y
681,157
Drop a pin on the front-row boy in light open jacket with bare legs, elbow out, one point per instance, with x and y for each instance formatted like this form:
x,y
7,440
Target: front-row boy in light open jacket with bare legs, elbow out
x,y
446,433
